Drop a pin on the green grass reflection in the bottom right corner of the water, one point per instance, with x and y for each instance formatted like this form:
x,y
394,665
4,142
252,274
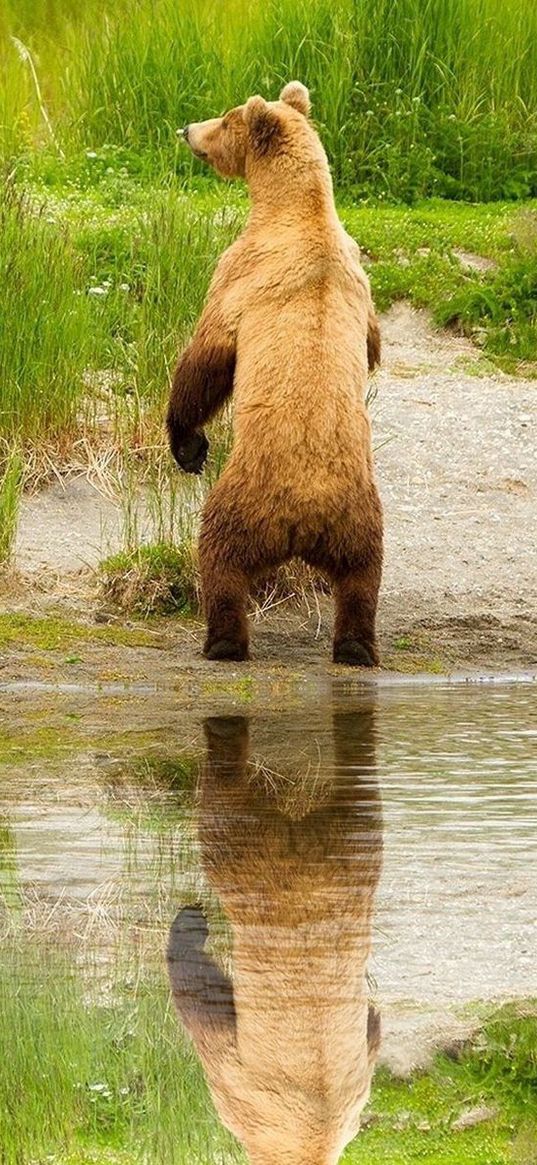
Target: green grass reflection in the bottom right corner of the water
x,y
412,1120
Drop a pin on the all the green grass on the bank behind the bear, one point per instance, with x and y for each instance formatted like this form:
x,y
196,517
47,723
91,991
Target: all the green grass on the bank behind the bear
x,y
110,230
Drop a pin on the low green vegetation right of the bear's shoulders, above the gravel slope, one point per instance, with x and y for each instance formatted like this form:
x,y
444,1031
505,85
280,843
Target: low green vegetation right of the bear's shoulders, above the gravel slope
x,y
416,258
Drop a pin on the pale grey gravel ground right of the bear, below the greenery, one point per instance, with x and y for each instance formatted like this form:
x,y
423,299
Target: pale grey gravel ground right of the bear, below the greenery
x,y
457,468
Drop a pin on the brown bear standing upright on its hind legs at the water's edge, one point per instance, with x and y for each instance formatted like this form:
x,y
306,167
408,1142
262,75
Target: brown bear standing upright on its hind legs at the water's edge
x,y
289,327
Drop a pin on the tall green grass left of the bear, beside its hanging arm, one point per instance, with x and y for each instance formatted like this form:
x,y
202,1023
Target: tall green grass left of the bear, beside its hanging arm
x,y
93,320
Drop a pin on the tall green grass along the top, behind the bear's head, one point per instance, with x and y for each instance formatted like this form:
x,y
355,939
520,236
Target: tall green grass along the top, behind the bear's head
x,y
413,97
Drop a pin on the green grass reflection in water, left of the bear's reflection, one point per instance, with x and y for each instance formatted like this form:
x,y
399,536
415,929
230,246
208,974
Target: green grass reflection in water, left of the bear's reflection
x,y
84,1079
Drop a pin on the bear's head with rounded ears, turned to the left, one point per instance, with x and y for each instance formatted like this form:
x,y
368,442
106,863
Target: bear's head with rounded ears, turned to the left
x,y
257,133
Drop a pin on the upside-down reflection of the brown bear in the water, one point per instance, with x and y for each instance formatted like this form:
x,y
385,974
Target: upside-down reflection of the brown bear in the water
x,y
291,832
